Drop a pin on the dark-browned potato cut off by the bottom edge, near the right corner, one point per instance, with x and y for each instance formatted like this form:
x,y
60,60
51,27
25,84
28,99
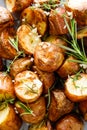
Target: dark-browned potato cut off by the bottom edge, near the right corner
x,y
70,122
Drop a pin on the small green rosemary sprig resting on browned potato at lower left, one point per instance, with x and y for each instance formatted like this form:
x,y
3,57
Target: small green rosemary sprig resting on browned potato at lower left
x,y
25,108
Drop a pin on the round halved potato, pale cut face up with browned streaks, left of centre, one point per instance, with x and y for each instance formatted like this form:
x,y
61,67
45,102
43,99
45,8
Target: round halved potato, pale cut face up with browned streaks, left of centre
x,y
28,87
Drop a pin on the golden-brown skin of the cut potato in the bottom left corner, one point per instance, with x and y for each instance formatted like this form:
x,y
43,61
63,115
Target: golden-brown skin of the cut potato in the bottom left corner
x,y
12,121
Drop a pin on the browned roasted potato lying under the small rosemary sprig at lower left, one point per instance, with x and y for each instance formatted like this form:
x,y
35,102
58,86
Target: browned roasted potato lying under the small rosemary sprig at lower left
x,y
39,110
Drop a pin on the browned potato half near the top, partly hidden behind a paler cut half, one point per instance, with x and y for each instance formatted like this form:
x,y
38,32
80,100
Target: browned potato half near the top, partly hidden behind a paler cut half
x,y
35,17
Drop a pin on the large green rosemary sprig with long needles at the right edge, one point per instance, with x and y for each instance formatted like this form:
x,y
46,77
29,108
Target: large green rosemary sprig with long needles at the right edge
x,y
75,50
